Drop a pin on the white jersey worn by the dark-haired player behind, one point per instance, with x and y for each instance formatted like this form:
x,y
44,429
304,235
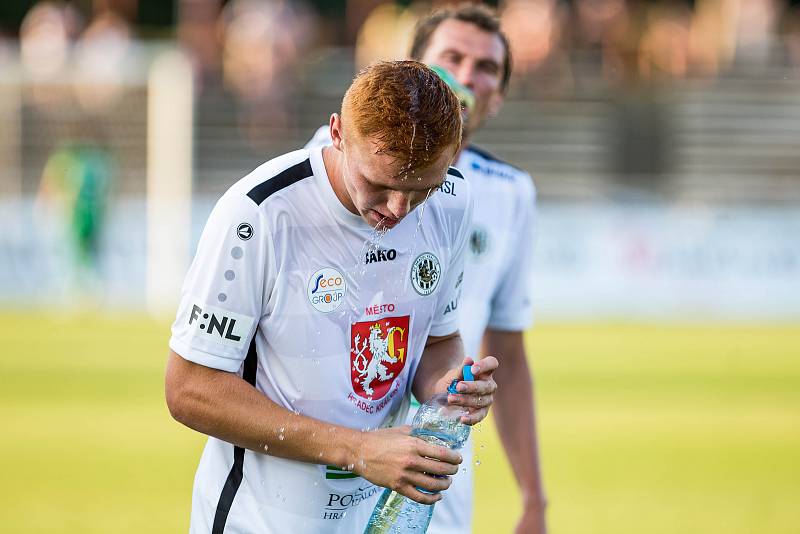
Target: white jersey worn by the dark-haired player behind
x,y
497,290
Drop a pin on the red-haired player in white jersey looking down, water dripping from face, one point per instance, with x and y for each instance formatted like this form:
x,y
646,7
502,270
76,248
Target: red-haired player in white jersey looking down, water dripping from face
x,y
293,337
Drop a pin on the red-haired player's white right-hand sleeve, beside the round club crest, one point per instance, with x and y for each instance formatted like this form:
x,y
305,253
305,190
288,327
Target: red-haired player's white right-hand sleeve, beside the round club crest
x,y
445,320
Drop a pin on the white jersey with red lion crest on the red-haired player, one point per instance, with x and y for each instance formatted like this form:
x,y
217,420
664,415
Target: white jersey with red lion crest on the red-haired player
x,y
286,291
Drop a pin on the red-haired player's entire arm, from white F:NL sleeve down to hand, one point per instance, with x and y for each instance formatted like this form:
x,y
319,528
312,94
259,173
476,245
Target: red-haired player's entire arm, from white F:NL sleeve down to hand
x,y
222,302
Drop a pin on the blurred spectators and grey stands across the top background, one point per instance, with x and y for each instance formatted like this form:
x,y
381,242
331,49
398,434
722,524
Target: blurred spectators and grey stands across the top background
x,y
670,97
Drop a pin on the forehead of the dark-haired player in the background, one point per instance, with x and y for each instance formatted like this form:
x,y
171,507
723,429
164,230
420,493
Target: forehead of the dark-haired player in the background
x,y
465,38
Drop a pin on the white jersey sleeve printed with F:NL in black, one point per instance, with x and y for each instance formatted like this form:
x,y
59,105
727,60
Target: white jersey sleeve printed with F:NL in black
x,y
222,296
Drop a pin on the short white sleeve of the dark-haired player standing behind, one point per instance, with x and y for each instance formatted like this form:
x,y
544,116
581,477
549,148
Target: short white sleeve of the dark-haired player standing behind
x,y
512,302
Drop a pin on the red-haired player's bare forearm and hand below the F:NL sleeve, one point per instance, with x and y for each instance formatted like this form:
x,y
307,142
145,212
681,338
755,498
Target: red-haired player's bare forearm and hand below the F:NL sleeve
x,y
223,405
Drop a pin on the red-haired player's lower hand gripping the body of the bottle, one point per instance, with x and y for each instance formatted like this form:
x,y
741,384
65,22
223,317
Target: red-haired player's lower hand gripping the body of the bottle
x,y
393,459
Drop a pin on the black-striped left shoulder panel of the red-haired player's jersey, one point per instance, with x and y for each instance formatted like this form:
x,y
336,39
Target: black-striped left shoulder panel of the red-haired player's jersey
x,y
274,176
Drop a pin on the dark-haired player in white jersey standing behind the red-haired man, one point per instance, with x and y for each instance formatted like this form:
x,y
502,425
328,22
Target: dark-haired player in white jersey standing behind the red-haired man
x,y
496,306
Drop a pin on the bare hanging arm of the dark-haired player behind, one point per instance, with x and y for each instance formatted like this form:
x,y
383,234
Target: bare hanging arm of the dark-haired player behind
x,y
515,417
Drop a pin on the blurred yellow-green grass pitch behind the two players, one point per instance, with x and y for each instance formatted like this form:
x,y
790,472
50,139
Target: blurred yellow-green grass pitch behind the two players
x,y
644,429
